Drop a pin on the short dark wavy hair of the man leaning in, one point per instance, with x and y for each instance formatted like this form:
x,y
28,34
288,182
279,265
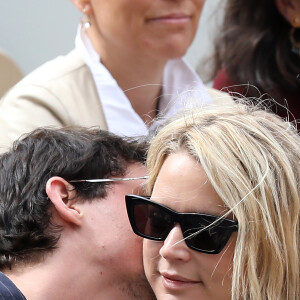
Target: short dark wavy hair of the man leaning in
x,y
26,228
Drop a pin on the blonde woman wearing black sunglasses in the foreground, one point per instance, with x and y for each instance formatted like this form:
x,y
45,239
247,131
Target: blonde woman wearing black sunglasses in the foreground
x,y
222,222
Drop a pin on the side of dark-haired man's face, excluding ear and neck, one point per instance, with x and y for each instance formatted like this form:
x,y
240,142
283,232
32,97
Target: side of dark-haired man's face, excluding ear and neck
x,y
115,252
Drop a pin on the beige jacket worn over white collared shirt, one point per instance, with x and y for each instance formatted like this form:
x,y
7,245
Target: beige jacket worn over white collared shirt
x,y
59,93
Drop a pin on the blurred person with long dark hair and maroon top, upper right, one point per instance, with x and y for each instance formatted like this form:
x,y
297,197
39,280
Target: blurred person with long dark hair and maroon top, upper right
x,y
257,52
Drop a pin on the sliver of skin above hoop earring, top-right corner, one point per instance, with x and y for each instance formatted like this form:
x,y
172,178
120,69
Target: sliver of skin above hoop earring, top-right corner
x,y
289,9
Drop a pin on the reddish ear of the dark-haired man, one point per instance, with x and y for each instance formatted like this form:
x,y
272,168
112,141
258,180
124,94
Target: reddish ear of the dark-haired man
x,y
62,194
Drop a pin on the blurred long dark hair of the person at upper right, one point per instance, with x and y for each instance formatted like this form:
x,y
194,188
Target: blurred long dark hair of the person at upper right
x,y
254,47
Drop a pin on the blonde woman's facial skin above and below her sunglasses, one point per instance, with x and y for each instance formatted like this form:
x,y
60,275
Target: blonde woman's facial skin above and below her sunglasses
x,y
174,270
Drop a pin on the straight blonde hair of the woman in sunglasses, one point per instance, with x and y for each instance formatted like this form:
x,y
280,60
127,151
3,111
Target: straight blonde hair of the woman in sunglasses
x,y
252,159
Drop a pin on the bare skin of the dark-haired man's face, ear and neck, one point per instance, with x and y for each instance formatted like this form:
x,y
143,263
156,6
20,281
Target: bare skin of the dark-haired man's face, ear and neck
x,y
97,256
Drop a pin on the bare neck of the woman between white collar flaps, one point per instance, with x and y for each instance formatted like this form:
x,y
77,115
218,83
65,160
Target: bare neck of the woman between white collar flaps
x,y
139,76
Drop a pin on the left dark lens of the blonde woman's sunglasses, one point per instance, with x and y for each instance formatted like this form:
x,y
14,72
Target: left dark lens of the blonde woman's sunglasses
x,y
151,221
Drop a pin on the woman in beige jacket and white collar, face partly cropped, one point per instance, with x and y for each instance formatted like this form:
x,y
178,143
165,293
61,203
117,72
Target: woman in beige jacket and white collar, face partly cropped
x,y
126,68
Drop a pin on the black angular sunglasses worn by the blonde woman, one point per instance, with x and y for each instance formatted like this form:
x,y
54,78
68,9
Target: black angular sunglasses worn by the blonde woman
x,y
154,221
